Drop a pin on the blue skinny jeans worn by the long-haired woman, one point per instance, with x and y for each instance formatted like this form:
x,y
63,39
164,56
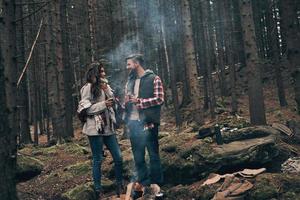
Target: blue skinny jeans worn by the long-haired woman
x,y
96,143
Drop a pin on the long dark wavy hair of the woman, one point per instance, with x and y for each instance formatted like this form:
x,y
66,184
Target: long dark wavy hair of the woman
x,y
94,73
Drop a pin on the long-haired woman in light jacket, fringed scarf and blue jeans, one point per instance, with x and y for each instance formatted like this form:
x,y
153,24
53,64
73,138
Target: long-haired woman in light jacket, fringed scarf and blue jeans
x,y
97,100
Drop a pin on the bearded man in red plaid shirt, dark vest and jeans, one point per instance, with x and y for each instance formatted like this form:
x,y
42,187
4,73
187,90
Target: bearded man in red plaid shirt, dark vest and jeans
x,y
144,96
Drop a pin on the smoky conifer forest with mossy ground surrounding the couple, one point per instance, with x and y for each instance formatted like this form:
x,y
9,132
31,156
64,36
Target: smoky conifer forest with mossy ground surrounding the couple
x,y
229,69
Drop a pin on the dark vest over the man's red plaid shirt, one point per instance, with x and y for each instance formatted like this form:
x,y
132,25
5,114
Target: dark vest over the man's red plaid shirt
x,y
146,90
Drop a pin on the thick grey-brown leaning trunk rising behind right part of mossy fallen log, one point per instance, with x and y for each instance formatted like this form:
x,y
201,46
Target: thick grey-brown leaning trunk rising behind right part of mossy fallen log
x,y
255,88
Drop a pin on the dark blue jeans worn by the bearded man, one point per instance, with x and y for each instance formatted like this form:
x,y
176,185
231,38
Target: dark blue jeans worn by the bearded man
x,y
140,141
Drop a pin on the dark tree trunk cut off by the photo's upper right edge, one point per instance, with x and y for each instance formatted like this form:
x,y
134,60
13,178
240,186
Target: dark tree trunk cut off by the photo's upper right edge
x,y
291,29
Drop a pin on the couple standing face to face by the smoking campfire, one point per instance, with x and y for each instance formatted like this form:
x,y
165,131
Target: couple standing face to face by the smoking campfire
x,y
144,96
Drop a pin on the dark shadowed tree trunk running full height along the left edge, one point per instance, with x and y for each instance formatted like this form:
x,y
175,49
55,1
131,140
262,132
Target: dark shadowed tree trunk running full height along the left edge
x,y
8,124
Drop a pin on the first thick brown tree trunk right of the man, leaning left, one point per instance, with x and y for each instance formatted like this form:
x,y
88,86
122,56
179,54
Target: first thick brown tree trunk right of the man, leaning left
x,y
190,63
